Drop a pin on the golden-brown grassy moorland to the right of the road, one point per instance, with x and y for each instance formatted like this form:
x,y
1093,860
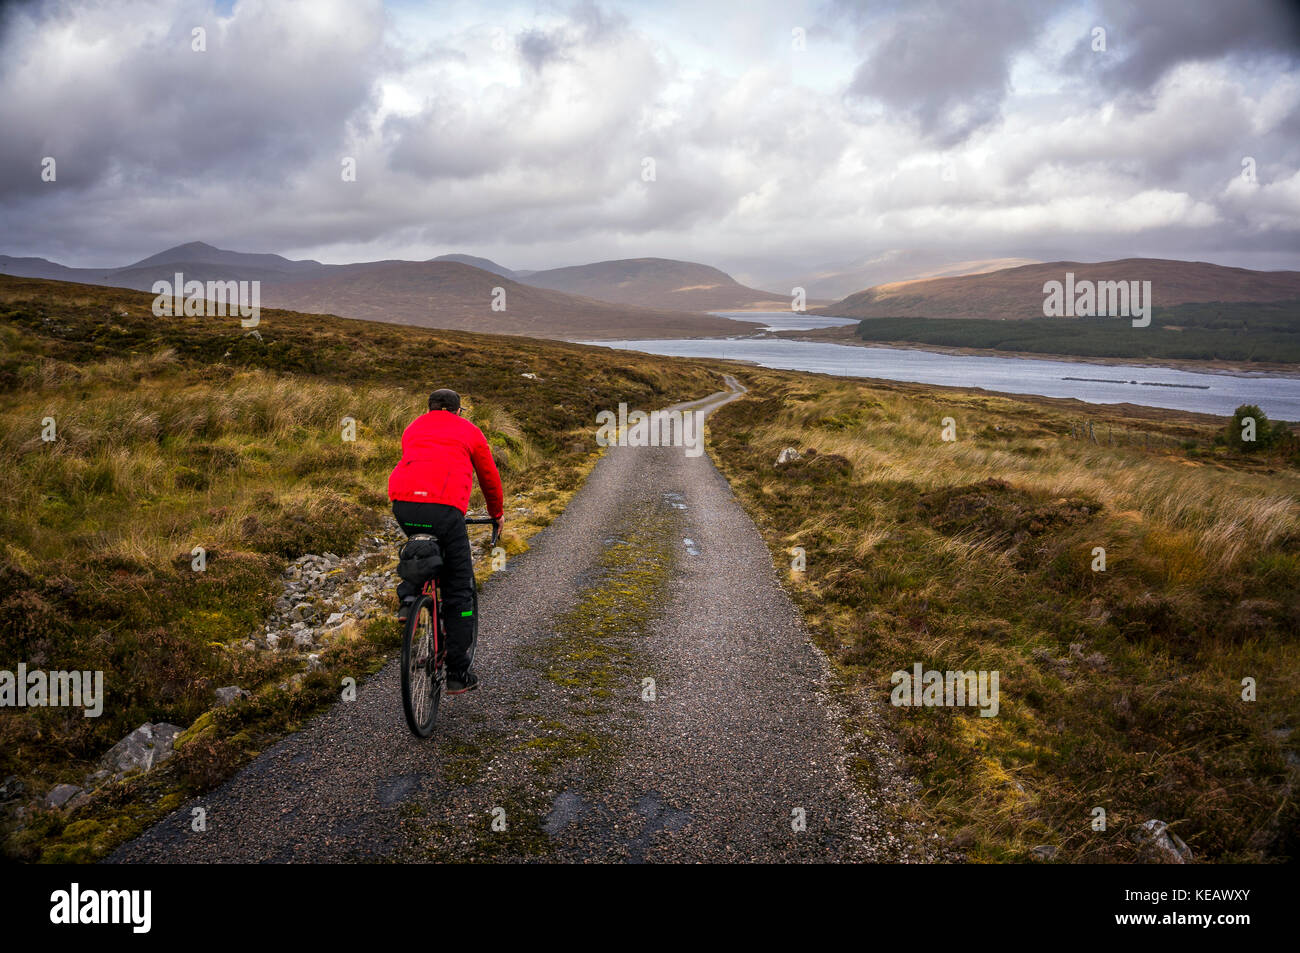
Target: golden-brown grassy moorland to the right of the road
x,y
1120,688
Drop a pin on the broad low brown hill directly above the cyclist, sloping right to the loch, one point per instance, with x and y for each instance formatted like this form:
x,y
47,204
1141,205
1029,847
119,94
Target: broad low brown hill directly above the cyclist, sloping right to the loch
x,y
450,294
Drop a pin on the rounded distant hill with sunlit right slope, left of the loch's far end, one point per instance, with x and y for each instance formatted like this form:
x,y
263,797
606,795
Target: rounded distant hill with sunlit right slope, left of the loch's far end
x,y
658,284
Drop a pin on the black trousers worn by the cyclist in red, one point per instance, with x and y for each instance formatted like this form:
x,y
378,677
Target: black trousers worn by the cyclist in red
x,y
447,525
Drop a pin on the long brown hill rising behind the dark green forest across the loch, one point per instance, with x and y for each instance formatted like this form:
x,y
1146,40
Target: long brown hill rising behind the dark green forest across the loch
x,y
1017,293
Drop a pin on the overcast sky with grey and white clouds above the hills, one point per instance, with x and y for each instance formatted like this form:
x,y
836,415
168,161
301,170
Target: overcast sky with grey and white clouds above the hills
x,y
786,136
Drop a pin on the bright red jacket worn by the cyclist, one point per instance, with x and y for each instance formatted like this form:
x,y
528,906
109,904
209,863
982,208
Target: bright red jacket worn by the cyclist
x,y
441,452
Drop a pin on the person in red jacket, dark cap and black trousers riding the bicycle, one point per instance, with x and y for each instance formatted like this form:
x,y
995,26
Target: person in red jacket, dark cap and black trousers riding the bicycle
x,y
430,490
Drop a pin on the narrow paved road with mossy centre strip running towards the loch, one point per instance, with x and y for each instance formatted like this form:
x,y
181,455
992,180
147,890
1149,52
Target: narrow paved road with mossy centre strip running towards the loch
x,y
649,695
